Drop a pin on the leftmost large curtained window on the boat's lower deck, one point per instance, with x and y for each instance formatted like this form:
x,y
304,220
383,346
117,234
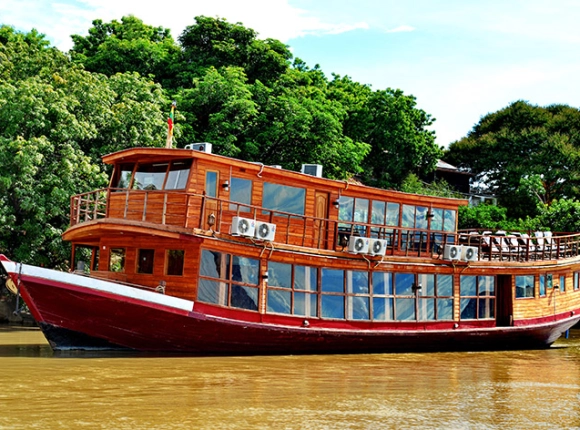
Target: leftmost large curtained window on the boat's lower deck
x,y
228,284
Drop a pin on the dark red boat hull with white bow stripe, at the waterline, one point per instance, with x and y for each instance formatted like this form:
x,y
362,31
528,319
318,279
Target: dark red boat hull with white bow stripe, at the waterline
x,y
78,312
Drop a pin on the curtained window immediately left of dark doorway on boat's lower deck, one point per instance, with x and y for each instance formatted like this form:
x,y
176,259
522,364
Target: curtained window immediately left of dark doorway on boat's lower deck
x,y
477,297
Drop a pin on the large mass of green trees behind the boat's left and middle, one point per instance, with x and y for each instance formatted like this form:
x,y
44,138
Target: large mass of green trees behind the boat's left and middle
x,y
60,112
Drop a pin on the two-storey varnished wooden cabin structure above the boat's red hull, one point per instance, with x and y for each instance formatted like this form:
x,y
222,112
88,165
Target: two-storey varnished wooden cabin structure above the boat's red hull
x,y
267,244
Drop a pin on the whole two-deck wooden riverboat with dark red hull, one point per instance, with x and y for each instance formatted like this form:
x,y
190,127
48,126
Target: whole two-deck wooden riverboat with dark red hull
x,y
191,252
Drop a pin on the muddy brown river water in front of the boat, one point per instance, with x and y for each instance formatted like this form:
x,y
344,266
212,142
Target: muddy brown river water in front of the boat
x,y
40,389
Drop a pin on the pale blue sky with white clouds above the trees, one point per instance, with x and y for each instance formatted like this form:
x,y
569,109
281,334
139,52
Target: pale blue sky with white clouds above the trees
x,y
460,59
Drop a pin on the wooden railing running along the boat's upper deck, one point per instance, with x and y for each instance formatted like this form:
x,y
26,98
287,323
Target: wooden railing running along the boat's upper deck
x,y
191,210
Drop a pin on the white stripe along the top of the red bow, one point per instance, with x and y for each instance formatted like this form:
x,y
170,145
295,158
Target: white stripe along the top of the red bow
x,y
97,284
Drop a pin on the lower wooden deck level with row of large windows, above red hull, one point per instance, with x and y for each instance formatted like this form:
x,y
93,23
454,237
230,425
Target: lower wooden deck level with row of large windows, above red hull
x,y
341,291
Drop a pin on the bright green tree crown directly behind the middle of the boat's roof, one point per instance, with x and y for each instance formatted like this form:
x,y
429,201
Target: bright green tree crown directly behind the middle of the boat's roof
x,y
299,123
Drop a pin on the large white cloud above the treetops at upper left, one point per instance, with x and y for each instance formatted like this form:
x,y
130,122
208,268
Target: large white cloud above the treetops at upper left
x,y
270,18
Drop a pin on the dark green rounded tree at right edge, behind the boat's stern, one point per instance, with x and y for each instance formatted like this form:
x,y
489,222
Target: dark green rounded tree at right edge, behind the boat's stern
x,y
523,141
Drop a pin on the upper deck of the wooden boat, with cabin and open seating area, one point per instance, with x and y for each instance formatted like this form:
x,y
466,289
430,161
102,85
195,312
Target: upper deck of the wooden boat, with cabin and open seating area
x,y
189,191
